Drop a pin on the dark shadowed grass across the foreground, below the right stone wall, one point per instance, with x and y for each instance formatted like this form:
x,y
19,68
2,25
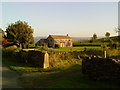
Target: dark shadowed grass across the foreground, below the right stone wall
x,y
72,77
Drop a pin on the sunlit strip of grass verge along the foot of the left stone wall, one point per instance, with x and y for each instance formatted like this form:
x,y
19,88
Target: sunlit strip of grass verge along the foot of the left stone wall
x,y
21,68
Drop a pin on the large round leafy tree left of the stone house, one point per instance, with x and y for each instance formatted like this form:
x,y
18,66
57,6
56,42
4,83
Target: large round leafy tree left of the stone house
x,y
20,33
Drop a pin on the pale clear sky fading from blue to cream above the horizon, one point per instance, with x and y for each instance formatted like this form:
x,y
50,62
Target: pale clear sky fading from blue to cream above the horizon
x,y
78,19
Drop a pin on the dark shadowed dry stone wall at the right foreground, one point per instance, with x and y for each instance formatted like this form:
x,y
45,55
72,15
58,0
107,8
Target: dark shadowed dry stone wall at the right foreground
x,y
101,69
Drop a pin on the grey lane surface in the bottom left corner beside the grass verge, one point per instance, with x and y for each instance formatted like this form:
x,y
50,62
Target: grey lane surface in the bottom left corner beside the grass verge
x,y
9,78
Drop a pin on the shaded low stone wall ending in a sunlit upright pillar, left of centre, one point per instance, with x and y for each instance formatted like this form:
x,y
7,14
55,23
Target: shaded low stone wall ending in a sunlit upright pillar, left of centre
x,y
37,58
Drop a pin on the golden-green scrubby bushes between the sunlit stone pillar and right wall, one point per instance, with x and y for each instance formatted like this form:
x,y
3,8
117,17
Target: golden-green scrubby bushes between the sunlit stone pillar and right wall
x,y
62,59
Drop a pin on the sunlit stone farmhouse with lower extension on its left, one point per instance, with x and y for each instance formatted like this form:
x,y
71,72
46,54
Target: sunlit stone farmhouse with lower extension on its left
x,y
55,41
